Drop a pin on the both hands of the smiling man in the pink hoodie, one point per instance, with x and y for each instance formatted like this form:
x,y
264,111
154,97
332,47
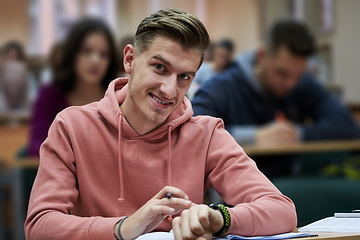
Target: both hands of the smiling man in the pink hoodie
x,y
198,222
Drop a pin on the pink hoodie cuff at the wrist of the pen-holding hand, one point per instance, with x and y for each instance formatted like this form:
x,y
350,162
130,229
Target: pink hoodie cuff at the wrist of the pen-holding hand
x,y
103,228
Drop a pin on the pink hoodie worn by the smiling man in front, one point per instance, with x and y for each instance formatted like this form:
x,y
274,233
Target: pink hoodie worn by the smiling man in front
x,y
95,169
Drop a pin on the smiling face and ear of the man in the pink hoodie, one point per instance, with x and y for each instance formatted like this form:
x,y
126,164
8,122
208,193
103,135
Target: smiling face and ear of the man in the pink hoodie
x,y
159,78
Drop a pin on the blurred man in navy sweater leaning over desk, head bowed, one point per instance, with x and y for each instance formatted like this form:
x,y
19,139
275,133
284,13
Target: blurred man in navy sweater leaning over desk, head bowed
x,y
267,97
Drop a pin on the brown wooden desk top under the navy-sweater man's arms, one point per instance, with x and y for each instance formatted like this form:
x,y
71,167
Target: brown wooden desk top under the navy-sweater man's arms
x,y
309,147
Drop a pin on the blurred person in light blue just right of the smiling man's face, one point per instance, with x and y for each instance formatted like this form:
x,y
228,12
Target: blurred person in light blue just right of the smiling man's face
x,y
222,57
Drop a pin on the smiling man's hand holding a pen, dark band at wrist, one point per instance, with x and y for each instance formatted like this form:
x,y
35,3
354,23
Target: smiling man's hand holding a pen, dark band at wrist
x,y
152,213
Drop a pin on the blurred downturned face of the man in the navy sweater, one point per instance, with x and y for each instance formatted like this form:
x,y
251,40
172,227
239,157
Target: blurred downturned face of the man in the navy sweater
x,y
282,71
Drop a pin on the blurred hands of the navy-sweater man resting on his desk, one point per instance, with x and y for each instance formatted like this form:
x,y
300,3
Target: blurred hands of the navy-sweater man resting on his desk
x,y
277,133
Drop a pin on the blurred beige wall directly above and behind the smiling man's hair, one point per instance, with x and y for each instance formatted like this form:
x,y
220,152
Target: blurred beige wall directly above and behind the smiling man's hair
x,y
238,20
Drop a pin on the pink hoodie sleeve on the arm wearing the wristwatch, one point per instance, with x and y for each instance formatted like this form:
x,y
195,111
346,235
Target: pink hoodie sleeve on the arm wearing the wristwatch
x,y
259,207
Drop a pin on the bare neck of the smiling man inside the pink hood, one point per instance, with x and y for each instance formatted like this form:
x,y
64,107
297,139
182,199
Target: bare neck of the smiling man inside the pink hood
x,y
135,118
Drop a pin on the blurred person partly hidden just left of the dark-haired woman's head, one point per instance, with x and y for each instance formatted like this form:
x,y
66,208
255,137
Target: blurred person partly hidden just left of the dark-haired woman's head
x,y
53,61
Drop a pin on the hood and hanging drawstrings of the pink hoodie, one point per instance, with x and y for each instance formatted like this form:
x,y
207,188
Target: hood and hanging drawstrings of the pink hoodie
x,y
109,108
